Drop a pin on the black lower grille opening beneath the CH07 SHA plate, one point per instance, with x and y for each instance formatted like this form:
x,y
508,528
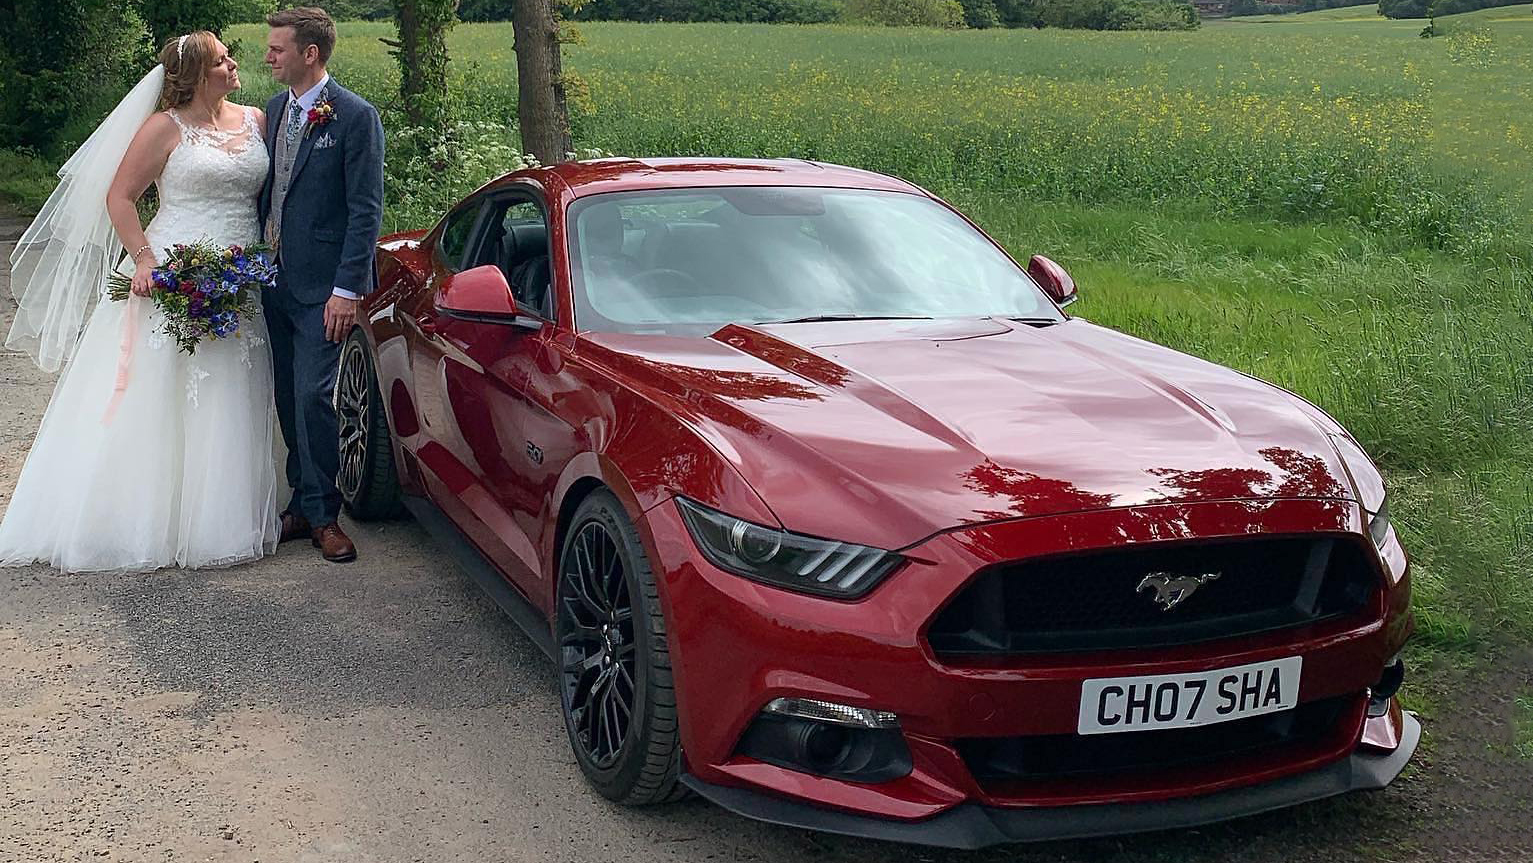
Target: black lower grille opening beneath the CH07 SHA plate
x,y
1055,756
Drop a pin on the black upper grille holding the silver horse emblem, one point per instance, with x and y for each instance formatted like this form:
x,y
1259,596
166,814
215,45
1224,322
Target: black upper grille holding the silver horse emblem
x,y
1108,600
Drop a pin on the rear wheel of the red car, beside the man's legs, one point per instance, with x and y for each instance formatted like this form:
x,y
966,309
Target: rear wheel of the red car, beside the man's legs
x,y
367,481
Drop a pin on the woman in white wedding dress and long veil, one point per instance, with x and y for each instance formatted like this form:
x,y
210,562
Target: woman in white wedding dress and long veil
x,y
146,458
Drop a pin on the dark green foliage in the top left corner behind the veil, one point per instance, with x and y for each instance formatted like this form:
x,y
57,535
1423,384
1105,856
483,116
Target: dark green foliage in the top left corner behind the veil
x,y
50,93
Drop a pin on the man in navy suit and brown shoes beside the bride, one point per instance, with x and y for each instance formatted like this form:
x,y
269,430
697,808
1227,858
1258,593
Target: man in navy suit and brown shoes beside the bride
x,y
323,208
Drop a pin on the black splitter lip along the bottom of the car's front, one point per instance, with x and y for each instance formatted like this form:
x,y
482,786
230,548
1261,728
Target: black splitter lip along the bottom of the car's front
x,y
976,825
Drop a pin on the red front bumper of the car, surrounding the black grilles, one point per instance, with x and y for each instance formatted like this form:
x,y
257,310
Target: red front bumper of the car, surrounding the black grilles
x,y
738,645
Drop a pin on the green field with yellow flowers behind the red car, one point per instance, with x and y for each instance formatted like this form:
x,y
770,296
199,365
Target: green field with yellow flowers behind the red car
x,y
1327,202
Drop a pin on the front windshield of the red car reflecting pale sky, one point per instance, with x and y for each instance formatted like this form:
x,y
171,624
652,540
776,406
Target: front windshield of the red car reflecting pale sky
x,y
691,261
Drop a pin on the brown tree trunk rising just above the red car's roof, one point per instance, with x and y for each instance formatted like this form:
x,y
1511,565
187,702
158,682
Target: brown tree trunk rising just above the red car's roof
x,y
540,82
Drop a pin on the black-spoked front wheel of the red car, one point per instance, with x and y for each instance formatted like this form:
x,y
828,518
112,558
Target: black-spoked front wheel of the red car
x,y
614,663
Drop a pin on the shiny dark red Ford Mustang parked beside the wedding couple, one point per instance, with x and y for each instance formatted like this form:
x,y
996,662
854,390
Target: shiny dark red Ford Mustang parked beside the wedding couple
x,y
829,513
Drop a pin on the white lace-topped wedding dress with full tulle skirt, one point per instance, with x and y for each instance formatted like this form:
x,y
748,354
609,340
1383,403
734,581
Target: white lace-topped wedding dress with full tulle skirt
x,y
183,471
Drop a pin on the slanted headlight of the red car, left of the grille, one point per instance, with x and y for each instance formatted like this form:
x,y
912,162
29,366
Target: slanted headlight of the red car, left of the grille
x,y
787,560
